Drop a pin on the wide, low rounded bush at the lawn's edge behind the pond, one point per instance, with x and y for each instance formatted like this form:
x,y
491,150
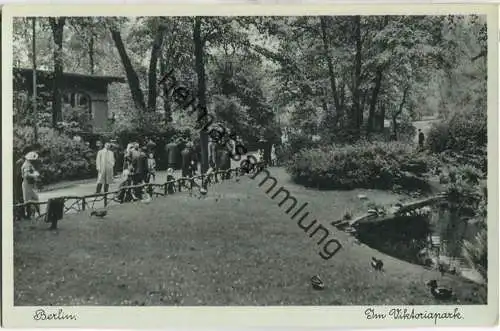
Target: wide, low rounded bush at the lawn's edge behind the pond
x,y
363,165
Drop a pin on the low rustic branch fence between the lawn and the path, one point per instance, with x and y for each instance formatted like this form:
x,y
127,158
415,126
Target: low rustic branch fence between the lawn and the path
x,y
75,204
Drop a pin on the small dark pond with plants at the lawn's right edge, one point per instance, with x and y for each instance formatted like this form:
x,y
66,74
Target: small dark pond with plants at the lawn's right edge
x,y
430,236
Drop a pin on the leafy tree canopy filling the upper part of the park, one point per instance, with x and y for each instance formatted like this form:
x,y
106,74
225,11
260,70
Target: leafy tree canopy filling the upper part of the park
x,y
332,76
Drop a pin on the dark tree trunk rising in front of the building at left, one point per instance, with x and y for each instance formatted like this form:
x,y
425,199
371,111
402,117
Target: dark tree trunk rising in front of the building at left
x,y
57,26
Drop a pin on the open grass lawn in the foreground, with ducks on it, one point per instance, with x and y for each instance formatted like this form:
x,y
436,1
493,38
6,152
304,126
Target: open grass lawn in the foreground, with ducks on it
x,y
233,247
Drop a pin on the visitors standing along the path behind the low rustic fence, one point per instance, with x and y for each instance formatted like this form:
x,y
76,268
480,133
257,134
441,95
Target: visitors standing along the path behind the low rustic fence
x,y
139,166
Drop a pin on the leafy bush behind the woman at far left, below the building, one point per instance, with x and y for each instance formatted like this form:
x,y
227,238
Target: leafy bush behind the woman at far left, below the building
x,y
61,158
